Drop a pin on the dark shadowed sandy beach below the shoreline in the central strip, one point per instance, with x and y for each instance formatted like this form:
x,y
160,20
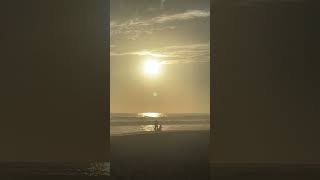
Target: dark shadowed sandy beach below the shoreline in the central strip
x,y
164,155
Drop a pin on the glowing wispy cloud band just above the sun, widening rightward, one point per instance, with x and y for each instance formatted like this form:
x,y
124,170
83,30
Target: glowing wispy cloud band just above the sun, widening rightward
x,y
192,53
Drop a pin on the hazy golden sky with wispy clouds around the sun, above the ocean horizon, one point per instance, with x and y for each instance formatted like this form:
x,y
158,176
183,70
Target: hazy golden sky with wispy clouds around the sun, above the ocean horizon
x,y
173,33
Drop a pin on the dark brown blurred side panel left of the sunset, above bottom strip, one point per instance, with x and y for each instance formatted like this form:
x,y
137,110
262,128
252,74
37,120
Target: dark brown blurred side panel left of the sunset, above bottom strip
x,y
54,80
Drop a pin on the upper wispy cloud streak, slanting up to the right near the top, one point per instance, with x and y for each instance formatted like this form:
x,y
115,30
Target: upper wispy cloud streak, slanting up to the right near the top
x,y
136,27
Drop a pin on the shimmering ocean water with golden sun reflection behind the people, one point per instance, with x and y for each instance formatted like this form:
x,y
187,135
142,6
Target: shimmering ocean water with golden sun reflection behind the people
x,y
136,123
